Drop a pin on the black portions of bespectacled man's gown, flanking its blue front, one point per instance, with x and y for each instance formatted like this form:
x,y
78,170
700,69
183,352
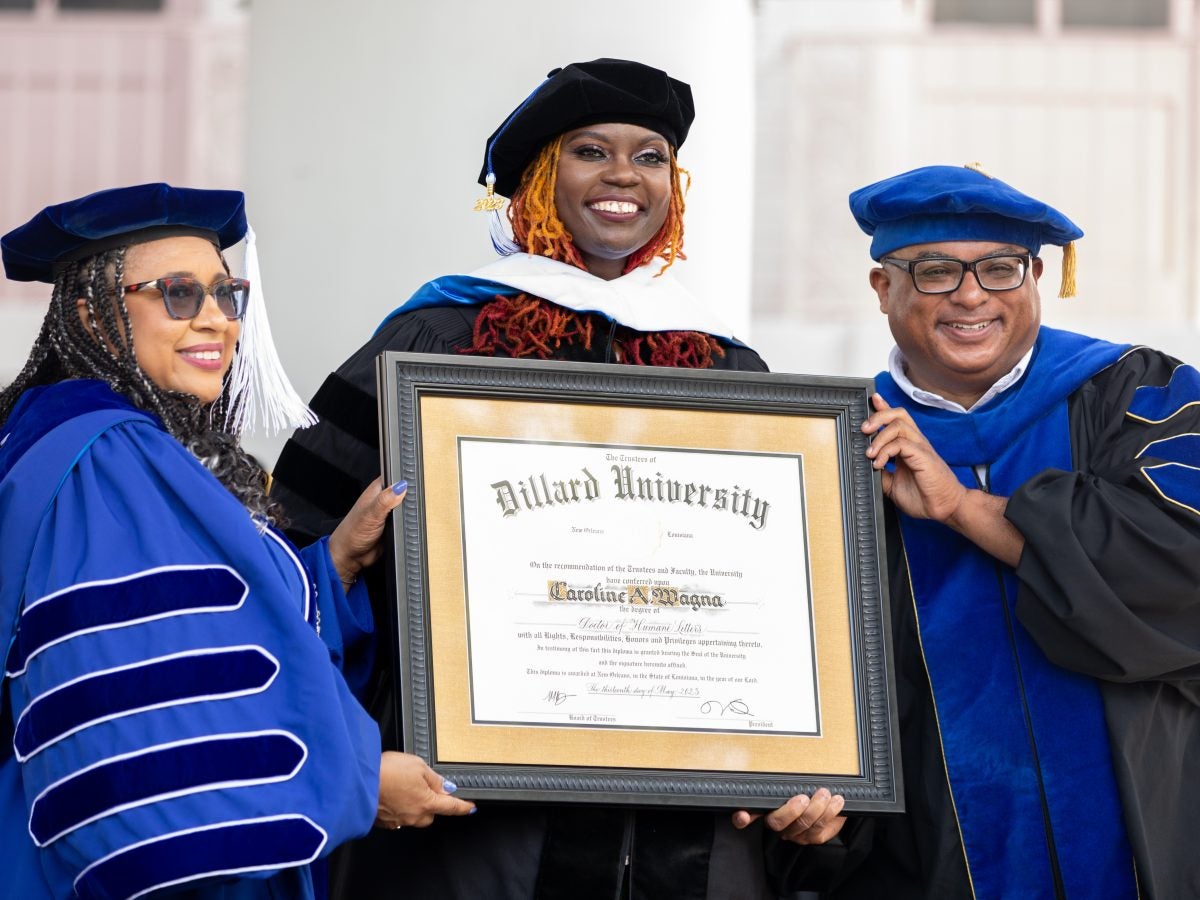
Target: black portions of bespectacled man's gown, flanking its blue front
x,y
1109,587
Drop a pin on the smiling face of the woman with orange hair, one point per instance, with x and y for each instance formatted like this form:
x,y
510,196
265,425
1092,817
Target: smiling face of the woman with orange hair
x,y
613,193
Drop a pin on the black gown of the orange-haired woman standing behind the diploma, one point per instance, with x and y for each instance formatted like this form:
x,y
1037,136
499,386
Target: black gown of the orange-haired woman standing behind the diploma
x,y
519,851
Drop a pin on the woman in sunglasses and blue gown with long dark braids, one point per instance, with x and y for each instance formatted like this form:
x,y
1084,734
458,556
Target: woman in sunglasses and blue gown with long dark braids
x,y
171,717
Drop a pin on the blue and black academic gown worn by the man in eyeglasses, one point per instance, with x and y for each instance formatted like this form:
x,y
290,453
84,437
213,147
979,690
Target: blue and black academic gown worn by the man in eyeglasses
x,y
1049,713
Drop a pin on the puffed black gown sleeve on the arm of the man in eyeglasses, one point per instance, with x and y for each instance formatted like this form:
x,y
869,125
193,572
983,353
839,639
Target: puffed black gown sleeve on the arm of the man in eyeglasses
x,y
1111,574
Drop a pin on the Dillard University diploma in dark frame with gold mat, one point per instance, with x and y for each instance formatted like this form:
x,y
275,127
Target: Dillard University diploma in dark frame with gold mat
x,y
639,586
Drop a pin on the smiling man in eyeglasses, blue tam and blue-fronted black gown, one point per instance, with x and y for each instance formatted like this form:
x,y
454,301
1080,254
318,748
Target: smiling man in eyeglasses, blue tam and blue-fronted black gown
x,y
1045,556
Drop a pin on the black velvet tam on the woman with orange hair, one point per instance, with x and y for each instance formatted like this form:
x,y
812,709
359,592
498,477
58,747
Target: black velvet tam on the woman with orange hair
x,y
604,91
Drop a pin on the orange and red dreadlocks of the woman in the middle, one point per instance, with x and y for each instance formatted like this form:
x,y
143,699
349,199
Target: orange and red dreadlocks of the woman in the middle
x,y
531,327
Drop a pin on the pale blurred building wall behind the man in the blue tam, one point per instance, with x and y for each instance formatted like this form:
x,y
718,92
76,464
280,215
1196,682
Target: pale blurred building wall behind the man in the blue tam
x,y
1089,105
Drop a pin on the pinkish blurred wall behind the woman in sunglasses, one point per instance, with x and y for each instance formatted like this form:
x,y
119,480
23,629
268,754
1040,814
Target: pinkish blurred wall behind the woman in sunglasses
x,y
92,100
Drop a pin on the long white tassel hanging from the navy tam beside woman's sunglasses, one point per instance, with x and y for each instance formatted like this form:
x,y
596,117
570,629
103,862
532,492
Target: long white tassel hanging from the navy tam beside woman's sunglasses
x,y
260,389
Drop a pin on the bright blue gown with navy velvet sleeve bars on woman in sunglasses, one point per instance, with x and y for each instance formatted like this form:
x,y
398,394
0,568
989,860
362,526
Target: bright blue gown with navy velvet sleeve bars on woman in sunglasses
x,y
170,716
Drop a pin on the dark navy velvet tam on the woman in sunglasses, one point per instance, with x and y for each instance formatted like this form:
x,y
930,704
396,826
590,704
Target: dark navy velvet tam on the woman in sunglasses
x,y
119,217
